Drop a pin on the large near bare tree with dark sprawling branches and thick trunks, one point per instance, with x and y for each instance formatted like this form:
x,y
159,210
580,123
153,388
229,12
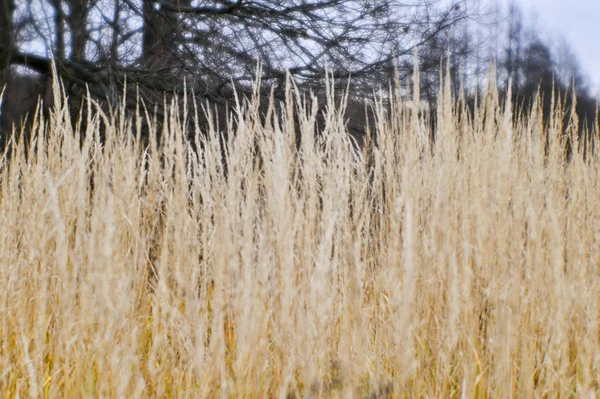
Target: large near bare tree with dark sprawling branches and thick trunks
x,y
214,43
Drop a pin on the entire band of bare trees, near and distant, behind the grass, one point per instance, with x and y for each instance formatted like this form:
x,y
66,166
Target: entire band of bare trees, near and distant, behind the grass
x,y
211,48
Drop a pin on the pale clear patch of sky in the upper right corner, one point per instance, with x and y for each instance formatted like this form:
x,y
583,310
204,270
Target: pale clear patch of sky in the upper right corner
x,y
579,22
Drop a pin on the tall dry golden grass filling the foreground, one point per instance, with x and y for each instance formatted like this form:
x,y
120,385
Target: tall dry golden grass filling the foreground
x,y
466,267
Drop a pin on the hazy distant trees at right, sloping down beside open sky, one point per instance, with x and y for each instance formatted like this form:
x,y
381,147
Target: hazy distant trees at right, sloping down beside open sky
x,y
512,50
